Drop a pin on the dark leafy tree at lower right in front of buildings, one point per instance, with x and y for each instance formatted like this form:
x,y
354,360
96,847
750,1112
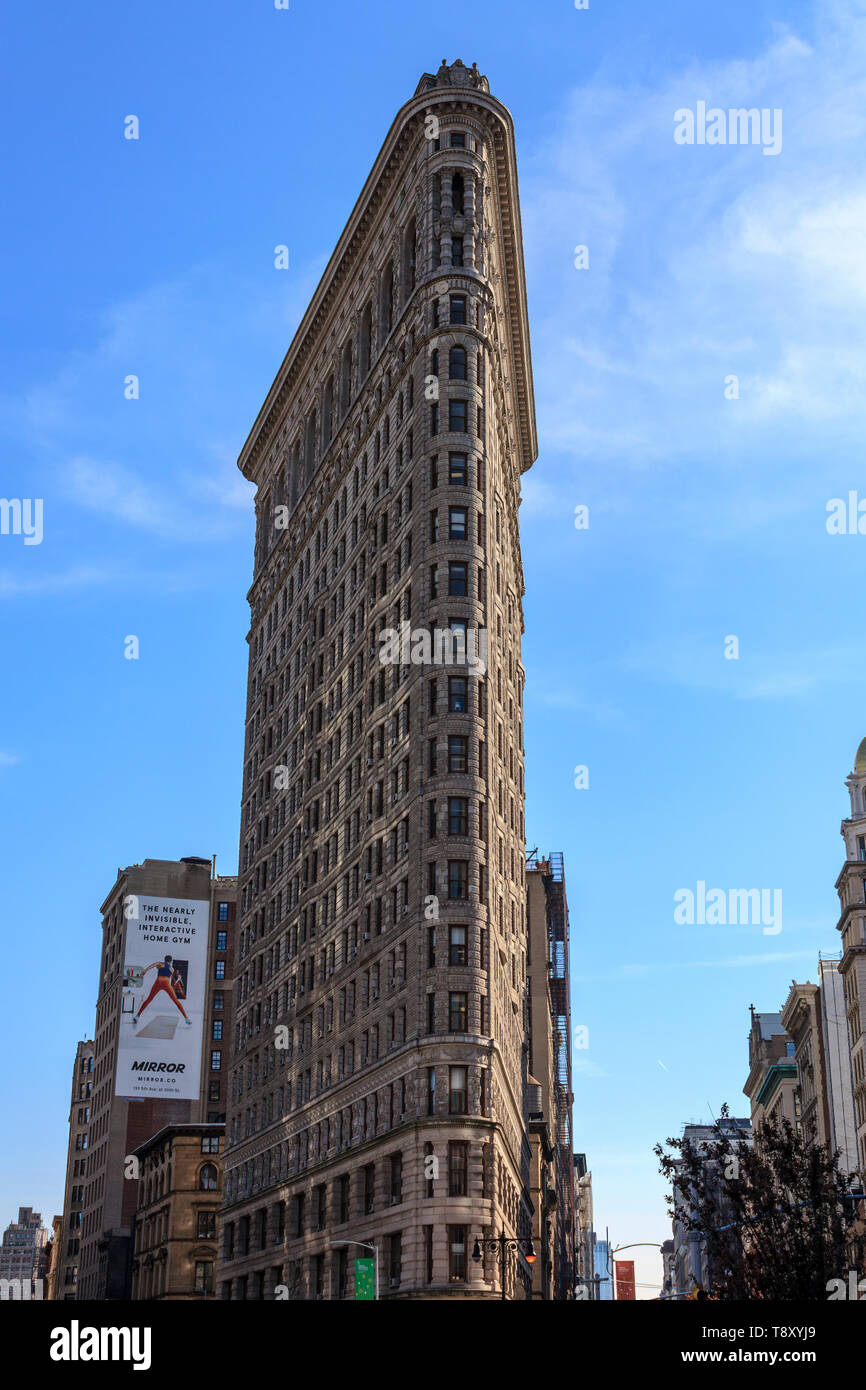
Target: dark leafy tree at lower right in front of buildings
x,y
771,1216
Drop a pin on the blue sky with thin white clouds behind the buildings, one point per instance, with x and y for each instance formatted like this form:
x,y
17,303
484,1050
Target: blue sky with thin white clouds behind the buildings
x,y
707,515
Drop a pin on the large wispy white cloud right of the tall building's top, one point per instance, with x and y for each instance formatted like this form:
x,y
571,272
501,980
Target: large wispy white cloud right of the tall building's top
x,y
704,262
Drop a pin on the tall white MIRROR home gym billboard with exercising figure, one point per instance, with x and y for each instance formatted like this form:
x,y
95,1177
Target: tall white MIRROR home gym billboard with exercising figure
x,y
163,995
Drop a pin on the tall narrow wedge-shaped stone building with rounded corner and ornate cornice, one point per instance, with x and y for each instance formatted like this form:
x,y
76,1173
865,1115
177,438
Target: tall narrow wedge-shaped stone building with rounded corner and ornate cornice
x,y
379,1061
